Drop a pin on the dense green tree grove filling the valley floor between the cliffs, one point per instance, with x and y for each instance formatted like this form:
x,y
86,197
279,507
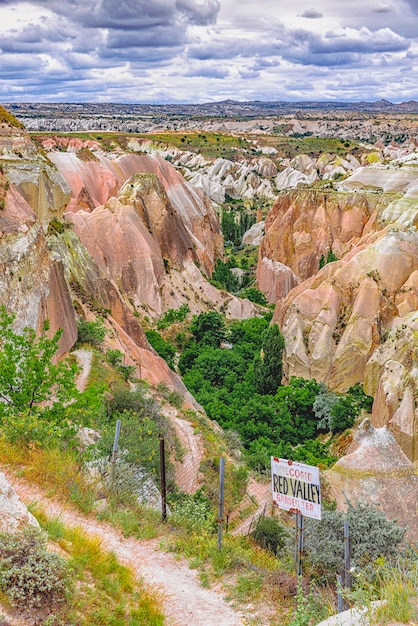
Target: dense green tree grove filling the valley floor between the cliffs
x,y
235,372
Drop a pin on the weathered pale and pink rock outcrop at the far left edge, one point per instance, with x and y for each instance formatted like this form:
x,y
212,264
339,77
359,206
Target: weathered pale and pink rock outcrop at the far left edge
x,y
31,279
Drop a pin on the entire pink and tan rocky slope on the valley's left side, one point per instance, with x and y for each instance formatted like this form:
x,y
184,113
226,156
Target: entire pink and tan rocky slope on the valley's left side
x,y
130,244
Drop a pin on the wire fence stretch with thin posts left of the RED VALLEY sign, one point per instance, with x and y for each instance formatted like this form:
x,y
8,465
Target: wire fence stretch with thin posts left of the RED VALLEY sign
x,y
160,482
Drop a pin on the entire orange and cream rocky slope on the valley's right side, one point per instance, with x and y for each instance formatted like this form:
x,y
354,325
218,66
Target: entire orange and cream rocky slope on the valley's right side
x,y
354,320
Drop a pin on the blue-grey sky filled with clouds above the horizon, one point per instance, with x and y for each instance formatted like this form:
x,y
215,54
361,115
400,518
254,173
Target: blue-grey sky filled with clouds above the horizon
x,y
159,51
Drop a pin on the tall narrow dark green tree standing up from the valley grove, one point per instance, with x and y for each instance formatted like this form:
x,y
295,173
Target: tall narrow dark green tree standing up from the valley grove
x,y
268,368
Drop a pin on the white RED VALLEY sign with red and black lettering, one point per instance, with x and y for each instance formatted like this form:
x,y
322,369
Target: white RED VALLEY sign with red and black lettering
x,y
296,487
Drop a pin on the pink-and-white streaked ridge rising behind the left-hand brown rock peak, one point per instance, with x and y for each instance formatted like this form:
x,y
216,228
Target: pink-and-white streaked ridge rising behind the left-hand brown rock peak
x,y
95,178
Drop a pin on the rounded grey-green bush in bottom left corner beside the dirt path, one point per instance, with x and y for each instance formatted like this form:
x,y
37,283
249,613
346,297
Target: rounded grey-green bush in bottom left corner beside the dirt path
x,y
29,575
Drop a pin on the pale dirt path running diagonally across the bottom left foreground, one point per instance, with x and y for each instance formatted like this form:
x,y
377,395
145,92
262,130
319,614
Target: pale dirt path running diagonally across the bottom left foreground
x,y
185,602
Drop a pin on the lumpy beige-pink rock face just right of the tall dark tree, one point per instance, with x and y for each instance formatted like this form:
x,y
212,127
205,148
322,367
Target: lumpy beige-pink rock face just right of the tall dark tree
x,y
333,322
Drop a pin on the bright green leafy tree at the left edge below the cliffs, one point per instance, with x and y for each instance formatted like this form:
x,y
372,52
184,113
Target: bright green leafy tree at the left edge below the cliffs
x,y
33,384
